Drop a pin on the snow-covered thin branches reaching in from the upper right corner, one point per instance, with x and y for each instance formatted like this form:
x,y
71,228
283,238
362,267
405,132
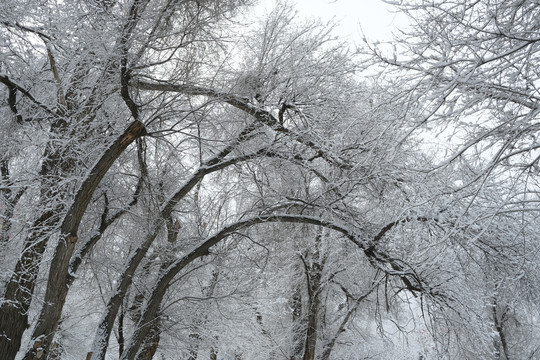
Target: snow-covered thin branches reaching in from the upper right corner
x,y
471,64
